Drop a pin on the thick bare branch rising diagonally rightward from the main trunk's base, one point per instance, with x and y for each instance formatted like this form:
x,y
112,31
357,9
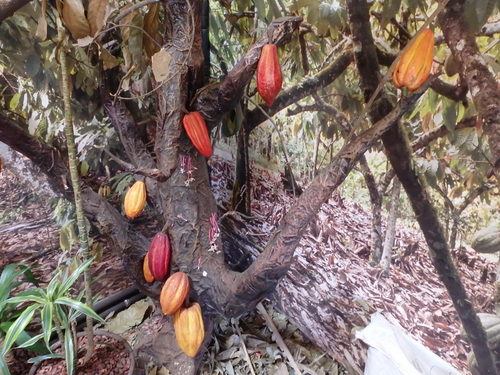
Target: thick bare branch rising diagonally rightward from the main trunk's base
x,y
261,277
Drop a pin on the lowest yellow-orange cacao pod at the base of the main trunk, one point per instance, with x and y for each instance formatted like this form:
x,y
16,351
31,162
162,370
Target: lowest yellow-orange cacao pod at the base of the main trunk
x,y
189,329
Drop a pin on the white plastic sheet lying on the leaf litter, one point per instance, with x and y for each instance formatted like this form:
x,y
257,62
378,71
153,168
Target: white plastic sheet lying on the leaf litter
x,y
393,352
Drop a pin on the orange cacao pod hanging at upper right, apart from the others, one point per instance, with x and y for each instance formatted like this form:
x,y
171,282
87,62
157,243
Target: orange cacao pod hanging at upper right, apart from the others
x,y
414,66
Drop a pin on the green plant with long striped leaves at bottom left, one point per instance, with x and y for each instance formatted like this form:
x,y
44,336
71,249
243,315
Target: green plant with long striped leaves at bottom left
x,y
57,312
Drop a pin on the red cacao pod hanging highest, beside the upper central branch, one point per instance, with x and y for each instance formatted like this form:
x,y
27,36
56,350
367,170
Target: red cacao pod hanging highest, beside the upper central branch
x,y
269,77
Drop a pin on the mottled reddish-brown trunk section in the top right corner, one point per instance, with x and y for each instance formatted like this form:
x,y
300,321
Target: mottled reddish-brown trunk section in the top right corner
x,y
473,70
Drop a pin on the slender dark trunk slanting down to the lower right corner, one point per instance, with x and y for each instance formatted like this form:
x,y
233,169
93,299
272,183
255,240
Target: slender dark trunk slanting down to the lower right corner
x,y
399,154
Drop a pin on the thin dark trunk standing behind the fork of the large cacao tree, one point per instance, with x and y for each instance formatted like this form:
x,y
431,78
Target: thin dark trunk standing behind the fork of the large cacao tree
x,y
241,199
